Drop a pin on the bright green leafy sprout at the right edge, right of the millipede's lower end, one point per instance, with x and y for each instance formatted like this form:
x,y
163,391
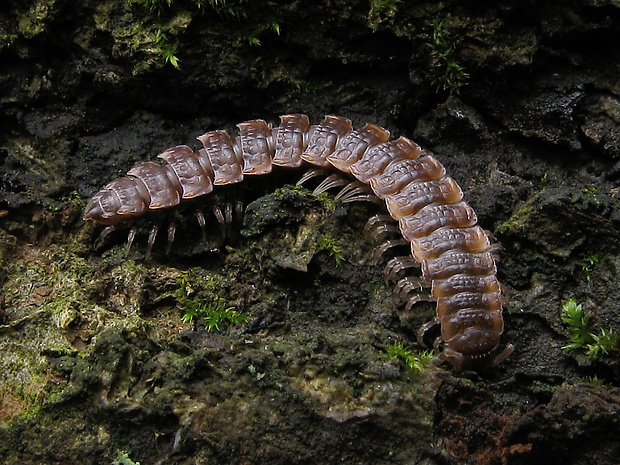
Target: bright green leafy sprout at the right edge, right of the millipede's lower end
x,y
582,335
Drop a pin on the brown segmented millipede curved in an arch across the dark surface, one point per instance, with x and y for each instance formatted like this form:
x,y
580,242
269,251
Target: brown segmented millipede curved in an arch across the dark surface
x,y
423,203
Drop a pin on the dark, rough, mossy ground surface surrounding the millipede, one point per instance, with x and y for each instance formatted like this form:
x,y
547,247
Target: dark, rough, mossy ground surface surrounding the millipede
x,y
267,341
